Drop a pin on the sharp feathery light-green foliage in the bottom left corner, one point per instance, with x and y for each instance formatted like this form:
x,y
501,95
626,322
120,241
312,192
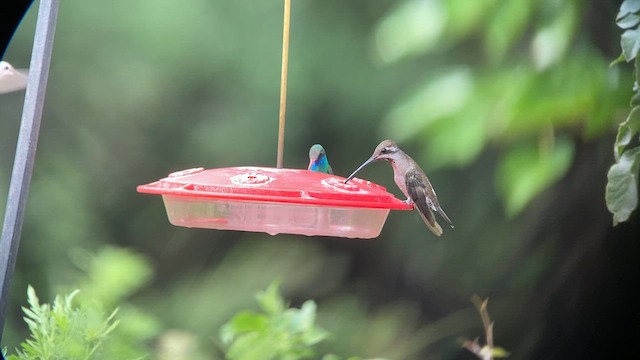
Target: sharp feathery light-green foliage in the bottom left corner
x,y
64,330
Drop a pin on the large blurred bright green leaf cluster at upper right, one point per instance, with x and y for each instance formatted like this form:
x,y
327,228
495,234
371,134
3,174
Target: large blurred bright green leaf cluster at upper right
x,y
468,104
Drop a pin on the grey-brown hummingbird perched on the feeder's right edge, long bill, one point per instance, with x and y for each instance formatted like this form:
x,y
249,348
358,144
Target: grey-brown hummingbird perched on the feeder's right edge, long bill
x,y
412,181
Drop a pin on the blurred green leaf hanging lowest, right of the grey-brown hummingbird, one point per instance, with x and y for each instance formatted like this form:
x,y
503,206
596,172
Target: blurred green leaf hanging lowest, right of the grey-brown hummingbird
x,y
526,171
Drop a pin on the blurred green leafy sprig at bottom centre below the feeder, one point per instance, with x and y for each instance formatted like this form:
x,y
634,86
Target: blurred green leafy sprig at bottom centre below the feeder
x,y
277,333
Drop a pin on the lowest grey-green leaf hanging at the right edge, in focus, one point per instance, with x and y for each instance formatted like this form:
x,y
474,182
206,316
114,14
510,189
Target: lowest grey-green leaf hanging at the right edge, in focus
x,y
622,186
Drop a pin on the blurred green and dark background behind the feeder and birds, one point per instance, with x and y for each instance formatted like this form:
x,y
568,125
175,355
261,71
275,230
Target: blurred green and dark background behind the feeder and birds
x,y
510,107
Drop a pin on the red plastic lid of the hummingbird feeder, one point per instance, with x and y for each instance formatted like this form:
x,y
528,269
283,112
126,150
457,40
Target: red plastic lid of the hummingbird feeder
x,y
293,186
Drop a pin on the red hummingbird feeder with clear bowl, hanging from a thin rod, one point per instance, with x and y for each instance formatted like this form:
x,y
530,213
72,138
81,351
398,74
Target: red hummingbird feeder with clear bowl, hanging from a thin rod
x,y
274,201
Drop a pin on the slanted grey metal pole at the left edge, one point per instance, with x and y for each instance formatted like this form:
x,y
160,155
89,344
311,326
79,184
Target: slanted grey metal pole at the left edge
x,y
26,147
